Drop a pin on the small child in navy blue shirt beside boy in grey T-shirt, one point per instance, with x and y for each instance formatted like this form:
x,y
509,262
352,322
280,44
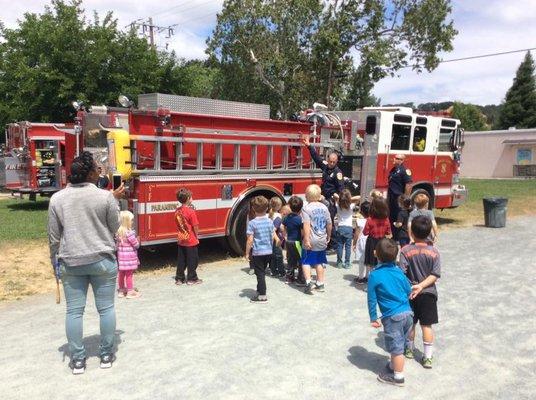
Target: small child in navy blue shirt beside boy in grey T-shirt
x,y
293,226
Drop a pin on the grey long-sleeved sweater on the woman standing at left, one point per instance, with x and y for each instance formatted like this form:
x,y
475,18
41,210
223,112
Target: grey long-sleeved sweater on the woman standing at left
x,y
82,222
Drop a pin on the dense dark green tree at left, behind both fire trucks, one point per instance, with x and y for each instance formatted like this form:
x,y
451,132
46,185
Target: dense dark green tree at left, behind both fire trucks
x,y
59,56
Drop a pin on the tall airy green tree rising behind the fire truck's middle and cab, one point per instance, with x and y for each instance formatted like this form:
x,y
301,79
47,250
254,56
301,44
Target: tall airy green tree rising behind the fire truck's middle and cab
x,y
293,52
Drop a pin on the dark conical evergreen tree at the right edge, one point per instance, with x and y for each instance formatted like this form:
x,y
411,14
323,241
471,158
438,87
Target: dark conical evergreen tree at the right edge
x,y
519,106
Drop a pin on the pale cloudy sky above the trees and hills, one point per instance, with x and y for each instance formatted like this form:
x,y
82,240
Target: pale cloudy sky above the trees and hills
x,y
485,26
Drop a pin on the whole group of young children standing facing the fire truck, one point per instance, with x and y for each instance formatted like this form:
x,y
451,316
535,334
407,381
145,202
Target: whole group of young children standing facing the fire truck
x,y
399,275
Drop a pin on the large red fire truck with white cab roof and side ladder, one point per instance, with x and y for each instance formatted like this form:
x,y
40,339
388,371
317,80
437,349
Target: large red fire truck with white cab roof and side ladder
x,y
226,160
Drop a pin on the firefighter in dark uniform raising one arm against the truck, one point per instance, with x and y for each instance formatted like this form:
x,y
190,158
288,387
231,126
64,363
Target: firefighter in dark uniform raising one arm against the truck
x,y
332,178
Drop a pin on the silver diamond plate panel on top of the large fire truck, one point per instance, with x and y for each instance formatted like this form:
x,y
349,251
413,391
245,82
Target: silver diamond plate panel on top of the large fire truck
x,y
197,105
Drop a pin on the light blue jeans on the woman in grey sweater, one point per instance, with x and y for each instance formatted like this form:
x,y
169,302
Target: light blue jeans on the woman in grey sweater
x,y
102,276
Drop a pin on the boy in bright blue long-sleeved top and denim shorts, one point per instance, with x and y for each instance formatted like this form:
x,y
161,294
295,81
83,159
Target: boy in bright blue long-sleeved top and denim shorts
x,y
390,289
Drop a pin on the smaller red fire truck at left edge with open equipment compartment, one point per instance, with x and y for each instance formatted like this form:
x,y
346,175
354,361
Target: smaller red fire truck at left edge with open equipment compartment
x,y
33,158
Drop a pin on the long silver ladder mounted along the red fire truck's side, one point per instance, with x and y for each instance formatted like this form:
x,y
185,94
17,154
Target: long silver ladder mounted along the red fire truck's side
x,y
218,168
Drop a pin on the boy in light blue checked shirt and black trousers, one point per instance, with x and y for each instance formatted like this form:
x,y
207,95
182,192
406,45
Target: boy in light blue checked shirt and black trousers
x,y
260,236
